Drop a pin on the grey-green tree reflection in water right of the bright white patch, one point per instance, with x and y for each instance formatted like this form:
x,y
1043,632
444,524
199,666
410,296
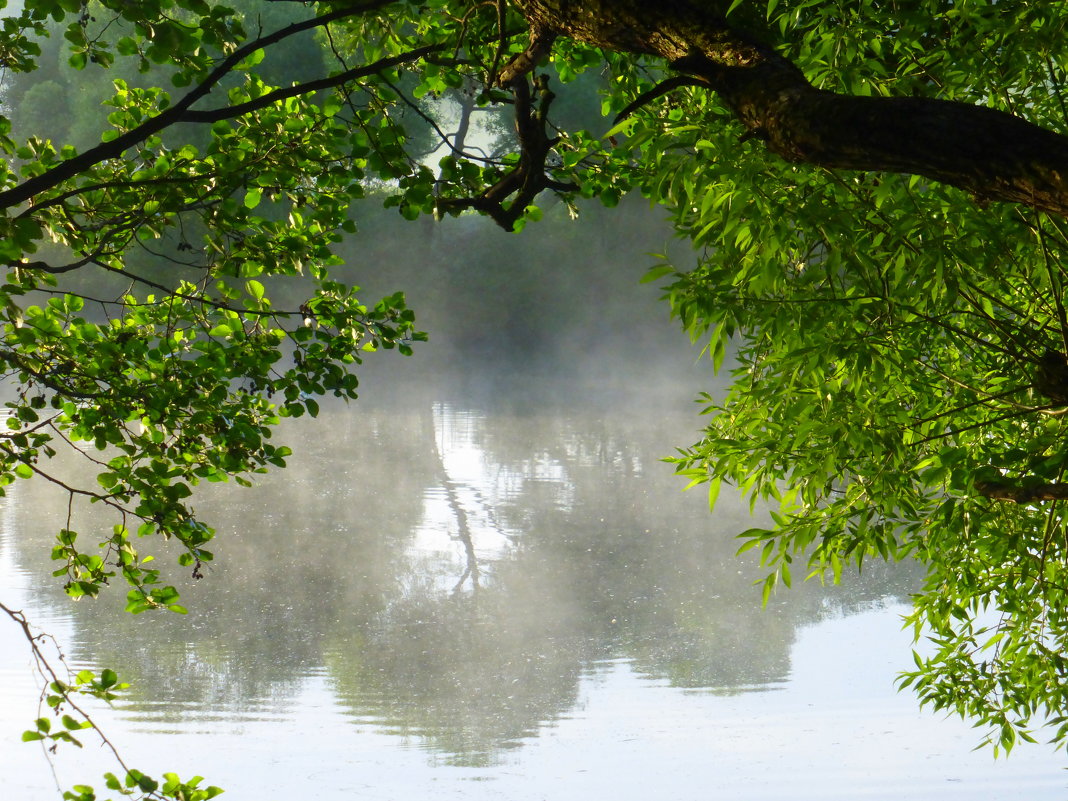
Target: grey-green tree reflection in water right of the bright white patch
x,y
648,567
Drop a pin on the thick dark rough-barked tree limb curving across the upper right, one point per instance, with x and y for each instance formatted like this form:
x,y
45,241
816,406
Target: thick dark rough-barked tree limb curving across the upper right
x,y
992,154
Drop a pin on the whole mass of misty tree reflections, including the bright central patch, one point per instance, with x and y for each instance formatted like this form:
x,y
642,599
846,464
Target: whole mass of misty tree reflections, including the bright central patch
x,y
453,576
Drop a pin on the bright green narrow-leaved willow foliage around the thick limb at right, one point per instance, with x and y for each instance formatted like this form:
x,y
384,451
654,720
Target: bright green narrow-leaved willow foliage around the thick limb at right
x,y
900,380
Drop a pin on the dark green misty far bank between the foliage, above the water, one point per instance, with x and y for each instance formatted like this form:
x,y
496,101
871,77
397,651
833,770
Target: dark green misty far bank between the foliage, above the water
x,y
554,313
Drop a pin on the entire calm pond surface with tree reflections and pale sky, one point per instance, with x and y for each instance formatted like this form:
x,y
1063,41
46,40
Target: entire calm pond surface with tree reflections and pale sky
x,y
449,602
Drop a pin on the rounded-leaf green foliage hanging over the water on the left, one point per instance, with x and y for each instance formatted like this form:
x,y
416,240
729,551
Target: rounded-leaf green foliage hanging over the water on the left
x,y
179,381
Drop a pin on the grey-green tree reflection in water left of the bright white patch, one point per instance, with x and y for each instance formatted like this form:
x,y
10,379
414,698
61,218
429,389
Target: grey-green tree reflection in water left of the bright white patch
x,y
308,545
